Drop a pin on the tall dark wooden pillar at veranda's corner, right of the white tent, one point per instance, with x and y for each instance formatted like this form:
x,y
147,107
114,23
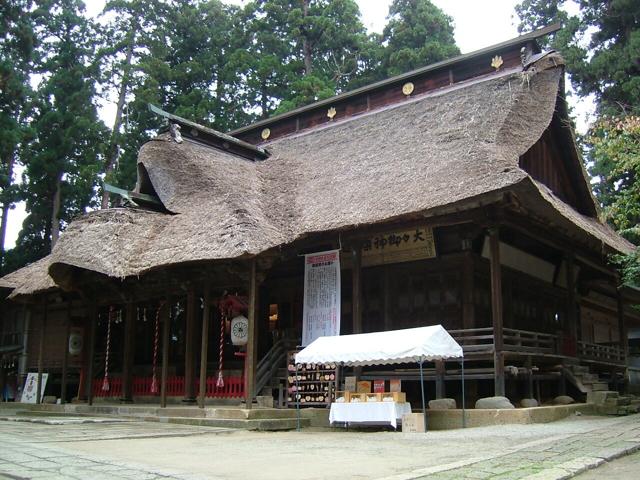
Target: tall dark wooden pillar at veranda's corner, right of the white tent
x,y
496,312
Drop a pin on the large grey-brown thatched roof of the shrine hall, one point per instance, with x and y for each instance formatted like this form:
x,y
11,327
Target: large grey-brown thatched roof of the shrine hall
x,y
443,149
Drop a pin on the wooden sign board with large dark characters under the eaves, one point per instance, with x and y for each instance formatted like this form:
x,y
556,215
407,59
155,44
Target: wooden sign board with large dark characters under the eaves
x,y
402,246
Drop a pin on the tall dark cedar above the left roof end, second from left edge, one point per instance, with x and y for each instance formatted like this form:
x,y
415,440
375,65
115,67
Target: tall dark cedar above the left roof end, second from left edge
x,y
64,155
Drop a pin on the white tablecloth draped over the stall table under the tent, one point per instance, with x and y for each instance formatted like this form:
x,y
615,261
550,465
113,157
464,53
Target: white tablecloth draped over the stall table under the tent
x,y
373,413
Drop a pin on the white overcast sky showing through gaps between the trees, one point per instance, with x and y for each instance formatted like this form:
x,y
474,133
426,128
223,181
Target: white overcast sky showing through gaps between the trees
x,y
478,24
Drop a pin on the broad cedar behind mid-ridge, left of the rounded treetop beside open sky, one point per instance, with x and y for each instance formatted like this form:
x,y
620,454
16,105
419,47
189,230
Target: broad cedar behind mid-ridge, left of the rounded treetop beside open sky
x,y
301,51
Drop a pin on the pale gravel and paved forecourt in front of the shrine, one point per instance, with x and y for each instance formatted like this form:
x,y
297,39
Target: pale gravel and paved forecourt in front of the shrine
x,y
148,450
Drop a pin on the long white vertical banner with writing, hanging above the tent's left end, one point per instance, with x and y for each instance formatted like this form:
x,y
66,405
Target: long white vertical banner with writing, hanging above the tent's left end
x,y
321,311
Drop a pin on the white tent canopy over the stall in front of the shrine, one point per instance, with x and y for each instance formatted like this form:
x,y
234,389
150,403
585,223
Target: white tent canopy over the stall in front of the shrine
x,y
383,348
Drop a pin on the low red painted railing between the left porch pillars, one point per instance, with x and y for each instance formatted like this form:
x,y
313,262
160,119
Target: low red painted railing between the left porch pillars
x,y
233,387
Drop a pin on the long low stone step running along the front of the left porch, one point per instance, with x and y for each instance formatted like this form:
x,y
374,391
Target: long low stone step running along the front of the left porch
x,y
264,419
